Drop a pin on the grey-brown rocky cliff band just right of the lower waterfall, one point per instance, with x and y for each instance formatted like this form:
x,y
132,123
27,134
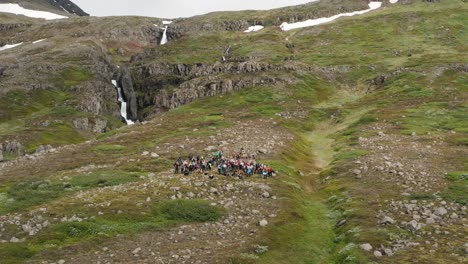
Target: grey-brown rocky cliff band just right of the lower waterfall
x,y
167,86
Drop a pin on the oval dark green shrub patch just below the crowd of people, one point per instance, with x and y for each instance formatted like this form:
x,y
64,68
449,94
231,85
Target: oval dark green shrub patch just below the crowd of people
x,y
191,211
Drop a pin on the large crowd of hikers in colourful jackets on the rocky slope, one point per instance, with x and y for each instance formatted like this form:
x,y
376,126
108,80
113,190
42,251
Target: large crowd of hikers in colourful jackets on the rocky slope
x,y
238,165
